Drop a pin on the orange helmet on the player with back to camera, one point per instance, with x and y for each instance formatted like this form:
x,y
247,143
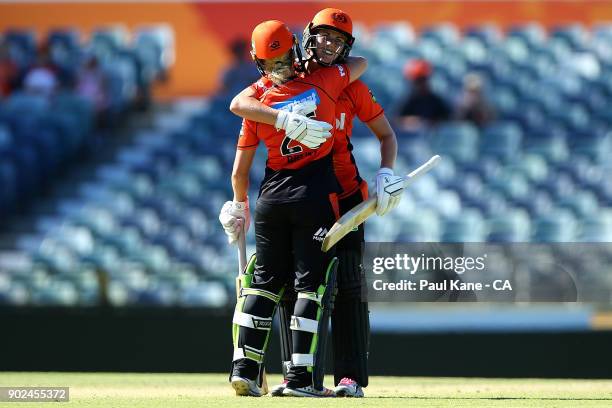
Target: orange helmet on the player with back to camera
x,y
272,39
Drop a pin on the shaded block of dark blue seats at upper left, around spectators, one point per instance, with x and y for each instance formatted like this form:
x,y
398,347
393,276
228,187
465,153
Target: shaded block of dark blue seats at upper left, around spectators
x,y
41,136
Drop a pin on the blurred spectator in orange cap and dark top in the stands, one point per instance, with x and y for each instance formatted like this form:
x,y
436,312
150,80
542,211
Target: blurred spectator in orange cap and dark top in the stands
x,y
423,108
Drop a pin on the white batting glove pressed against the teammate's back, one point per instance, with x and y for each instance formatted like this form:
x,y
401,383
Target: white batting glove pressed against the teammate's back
x,y
309,132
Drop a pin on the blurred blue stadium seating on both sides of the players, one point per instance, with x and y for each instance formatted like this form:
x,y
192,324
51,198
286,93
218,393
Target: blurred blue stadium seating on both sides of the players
x,y
144,230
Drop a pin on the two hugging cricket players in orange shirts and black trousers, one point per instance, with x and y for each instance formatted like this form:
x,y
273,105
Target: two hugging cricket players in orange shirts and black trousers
x,y
311,178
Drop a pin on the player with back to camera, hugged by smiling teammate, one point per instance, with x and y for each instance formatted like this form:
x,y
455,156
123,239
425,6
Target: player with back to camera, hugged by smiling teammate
x,y
297,203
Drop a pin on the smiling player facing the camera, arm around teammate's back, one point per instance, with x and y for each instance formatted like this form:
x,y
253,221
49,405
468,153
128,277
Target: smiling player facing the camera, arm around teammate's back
x,y
327,41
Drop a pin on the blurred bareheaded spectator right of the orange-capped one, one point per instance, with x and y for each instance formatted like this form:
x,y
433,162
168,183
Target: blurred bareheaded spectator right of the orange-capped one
x,y
472,105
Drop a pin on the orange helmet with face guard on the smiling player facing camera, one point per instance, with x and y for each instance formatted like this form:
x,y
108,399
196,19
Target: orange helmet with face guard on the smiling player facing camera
x,y
333,19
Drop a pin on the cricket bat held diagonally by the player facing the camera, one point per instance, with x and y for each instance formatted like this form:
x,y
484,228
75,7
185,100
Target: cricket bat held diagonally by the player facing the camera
x,y
358,214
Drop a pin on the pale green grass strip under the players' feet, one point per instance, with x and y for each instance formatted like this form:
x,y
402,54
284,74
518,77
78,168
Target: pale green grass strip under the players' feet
x,y
204,390
